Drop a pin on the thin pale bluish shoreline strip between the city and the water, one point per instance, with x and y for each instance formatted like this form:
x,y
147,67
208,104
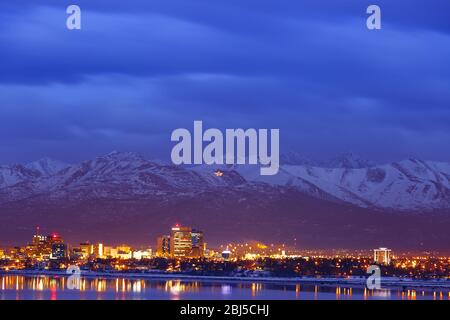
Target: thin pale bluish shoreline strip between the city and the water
x,y
387,282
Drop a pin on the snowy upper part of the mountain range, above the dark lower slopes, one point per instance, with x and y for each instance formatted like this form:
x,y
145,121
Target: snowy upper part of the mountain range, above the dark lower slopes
x,y
410,185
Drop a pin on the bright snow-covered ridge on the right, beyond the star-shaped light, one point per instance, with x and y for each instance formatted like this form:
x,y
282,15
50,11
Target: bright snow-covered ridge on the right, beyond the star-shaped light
x,y
407,185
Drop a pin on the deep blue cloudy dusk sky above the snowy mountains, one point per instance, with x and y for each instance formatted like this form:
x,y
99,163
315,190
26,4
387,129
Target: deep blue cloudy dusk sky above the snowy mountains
x,y
139,69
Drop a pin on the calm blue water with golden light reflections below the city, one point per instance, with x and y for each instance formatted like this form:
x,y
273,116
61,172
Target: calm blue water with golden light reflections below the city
x,y
55,288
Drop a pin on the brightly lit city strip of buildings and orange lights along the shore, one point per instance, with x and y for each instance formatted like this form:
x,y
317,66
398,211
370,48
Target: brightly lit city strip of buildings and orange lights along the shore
x,y
185,250
